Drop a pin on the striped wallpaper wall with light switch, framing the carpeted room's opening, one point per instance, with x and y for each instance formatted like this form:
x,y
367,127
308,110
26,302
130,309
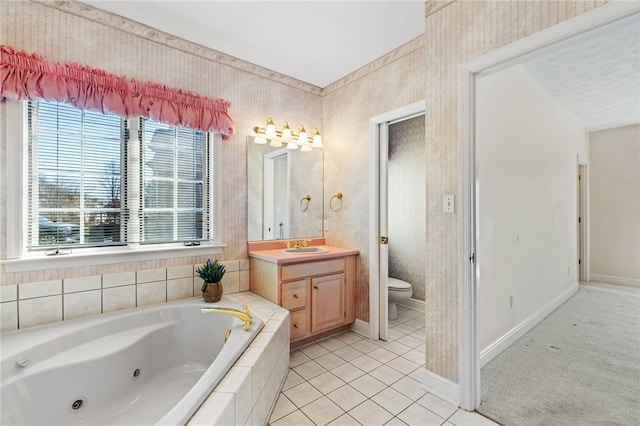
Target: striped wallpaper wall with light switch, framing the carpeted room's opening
x,y
456,32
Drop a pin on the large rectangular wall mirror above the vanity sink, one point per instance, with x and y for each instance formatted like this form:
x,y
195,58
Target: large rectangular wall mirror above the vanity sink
x,y
284,192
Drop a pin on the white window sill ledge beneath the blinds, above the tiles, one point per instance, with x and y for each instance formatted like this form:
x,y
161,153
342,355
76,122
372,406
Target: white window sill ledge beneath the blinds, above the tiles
x,y
106,256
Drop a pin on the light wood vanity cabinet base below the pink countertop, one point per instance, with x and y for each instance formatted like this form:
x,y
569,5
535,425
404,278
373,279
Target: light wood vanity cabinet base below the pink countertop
x,y
320,294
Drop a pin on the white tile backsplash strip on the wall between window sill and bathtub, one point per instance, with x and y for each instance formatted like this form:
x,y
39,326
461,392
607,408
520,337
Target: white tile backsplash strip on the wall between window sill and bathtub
x,y
36,303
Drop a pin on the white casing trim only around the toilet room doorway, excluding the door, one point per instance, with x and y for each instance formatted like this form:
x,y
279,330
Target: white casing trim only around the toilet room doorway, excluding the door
x,y
408,111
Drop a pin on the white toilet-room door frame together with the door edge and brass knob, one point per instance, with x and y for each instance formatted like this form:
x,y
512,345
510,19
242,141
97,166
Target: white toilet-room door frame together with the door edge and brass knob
x,y
379,223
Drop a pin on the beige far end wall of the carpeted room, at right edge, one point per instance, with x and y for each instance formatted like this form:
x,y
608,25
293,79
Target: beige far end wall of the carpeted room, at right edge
x,y
614,205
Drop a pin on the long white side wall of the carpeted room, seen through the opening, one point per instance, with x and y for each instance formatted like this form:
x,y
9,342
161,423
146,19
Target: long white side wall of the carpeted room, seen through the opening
x,y
527,149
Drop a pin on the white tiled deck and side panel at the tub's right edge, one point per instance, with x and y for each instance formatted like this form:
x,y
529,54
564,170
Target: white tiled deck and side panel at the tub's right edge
x,y
248,393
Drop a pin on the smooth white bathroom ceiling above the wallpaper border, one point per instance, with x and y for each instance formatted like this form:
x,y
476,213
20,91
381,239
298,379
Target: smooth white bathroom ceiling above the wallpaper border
x,y
317,42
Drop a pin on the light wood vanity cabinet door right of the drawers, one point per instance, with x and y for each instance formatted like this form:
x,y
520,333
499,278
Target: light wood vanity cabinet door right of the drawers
x,y
327,302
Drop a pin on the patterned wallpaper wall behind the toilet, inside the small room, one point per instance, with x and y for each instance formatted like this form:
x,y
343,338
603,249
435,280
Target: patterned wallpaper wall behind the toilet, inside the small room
x,y
406,203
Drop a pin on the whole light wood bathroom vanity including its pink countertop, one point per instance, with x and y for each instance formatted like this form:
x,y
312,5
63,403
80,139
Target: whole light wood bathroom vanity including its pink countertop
x,y
318,289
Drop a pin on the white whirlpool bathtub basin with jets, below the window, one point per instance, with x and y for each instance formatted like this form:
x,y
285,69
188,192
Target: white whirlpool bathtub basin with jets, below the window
x,y
153,365
